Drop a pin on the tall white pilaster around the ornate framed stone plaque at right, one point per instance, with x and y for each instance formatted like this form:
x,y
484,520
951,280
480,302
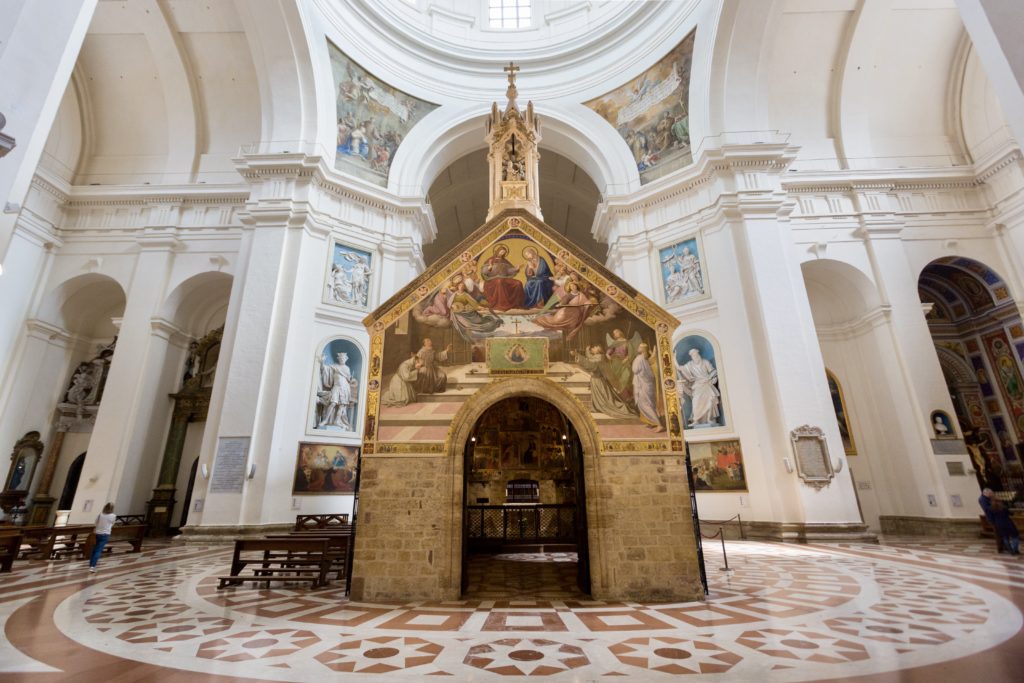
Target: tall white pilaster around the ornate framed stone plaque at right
x,y
792,375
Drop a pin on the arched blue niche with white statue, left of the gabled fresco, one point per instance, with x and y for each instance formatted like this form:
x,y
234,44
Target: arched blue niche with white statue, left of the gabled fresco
x,y
336,388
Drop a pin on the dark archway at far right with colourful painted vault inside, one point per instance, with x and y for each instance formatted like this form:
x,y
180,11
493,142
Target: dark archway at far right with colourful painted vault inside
x,y
979,338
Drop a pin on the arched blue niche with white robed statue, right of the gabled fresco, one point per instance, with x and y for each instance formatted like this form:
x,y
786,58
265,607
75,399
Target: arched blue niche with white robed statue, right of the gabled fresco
x,y
697,377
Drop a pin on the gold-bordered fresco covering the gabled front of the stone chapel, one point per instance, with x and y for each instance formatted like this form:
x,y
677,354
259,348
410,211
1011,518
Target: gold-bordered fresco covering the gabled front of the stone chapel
x,y
519,302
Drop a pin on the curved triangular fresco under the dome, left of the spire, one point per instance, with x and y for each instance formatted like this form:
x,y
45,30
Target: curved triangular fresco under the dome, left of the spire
x,y
373,119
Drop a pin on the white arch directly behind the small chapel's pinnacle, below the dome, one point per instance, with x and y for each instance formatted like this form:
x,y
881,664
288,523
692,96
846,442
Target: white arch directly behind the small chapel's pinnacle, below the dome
x,y
573,131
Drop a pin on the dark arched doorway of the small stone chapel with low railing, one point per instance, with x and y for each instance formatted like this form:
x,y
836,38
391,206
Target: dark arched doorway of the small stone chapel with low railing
x,y
525,517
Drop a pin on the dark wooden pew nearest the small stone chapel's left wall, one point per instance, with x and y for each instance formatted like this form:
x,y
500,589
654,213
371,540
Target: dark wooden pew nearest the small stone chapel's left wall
x,y
289,560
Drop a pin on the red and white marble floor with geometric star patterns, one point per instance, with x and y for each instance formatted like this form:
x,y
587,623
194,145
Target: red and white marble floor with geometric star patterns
x,y
908,611
